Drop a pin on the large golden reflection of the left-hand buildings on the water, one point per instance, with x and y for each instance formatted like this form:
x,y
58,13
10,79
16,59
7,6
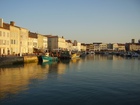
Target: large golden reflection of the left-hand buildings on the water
x,y
14,80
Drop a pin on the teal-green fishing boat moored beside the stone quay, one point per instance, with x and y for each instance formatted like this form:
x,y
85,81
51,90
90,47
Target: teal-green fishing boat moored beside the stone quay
x,y
47,58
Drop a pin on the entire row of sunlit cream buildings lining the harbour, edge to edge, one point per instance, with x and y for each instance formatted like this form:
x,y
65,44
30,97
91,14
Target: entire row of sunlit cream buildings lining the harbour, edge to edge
x,y
19,40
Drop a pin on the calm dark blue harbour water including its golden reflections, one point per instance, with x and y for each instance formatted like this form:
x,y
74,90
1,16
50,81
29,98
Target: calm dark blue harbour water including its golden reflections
x,y
92,80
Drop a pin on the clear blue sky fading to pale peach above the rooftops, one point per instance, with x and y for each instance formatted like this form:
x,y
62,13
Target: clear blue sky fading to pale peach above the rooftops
x,y
86,21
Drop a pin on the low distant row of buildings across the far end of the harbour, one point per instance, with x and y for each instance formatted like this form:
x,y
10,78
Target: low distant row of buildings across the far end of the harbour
x,y
114,46
